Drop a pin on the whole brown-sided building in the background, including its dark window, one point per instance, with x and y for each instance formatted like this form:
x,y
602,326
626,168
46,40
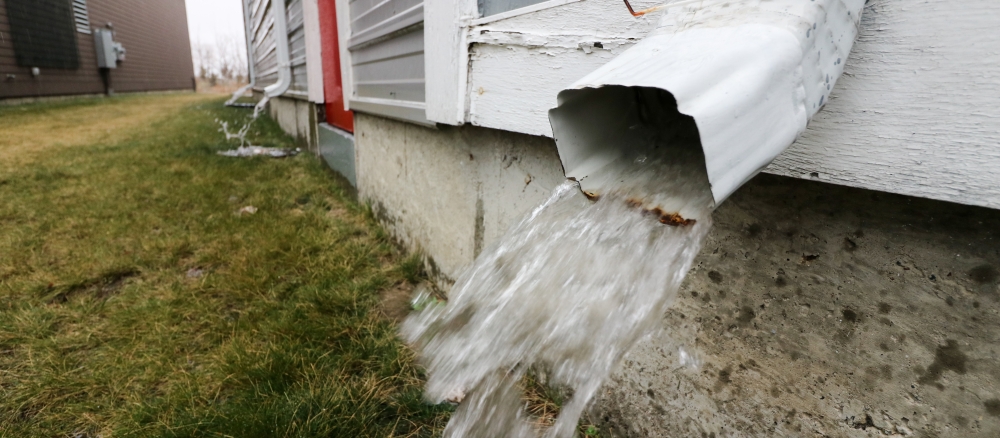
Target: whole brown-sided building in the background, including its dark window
x,y
48,47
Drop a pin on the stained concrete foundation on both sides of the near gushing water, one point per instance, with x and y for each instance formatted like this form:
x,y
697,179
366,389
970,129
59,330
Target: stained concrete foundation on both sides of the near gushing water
x,y
814,310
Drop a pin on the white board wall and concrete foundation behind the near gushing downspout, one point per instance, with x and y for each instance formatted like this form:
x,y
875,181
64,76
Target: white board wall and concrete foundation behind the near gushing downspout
x,y
814,309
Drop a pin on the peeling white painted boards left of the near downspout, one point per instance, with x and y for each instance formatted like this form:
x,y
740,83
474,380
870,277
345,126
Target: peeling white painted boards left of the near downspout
x,y
519,64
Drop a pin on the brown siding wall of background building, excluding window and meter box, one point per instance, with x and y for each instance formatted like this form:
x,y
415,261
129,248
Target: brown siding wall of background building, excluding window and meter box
x,y
155,35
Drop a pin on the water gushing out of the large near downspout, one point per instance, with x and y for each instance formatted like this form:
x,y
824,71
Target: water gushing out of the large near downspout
x,y
570,289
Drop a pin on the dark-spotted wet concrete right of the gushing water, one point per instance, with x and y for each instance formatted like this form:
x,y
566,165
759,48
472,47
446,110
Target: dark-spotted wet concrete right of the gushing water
x,y
820,310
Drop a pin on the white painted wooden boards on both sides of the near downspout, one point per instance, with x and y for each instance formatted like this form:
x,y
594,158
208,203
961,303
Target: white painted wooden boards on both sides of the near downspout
x,y
913,113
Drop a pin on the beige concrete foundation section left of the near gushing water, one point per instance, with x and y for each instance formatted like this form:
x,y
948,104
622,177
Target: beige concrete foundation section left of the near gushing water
x,y
448,192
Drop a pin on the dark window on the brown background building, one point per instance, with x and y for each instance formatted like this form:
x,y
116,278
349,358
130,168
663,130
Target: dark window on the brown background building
x,y
44,33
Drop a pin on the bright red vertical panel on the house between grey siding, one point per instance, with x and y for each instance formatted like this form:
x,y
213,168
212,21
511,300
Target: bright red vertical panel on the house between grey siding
x,y
333,83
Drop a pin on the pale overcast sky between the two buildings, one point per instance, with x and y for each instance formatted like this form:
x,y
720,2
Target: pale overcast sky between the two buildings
x,y
211,21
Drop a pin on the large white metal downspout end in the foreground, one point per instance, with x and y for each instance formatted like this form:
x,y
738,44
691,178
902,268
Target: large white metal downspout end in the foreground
x,y
748,74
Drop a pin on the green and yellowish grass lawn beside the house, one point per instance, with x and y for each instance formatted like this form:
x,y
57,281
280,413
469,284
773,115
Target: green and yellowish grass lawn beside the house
x,y
135,301
